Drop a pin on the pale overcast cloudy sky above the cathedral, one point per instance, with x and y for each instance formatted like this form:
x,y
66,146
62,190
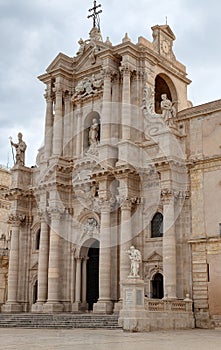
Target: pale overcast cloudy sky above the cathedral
x,y
33,32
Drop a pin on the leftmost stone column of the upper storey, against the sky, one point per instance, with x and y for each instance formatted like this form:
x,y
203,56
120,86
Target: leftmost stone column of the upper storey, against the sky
x,y
48,123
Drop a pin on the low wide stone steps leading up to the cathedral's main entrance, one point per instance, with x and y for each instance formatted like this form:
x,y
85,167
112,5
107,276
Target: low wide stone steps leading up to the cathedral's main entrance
x,y
66,321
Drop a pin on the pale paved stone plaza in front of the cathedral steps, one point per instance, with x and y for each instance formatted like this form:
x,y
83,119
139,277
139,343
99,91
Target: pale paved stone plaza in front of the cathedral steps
x,y
29,339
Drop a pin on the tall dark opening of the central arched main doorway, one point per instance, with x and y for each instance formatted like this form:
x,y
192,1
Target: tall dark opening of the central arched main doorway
x,y
93,275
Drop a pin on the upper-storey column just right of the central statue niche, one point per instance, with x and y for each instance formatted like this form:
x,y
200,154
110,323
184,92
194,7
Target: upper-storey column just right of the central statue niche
x,y
106,111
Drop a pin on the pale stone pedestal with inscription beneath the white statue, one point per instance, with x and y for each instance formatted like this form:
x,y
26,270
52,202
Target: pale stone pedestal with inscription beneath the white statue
x,y
133,316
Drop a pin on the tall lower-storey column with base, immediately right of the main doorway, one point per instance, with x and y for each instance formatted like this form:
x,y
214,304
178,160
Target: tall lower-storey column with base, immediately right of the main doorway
x,y
104,304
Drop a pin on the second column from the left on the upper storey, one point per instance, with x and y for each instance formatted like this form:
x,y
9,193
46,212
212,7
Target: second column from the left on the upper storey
x,y
58,123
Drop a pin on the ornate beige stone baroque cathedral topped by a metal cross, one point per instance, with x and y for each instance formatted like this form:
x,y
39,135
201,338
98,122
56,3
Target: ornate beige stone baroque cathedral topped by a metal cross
x,y
126,161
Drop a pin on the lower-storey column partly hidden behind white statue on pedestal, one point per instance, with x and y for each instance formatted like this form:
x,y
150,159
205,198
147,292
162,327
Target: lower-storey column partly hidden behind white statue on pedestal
x,y
125,241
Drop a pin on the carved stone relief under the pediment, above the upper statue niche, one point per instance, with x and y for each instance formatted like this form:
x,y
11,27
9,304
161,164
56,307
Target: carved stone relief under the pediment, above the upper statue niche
x,y
88,87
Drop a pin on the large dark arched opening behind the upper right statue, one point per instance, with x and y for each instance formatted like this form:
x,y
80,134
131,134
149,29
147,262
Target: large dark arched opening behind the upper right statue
x,y
164,85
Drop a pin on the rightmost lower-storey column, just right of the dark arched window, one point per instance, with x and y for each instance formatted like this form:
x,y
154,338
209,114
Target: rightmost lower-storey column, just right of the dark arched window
x,y
169,246
